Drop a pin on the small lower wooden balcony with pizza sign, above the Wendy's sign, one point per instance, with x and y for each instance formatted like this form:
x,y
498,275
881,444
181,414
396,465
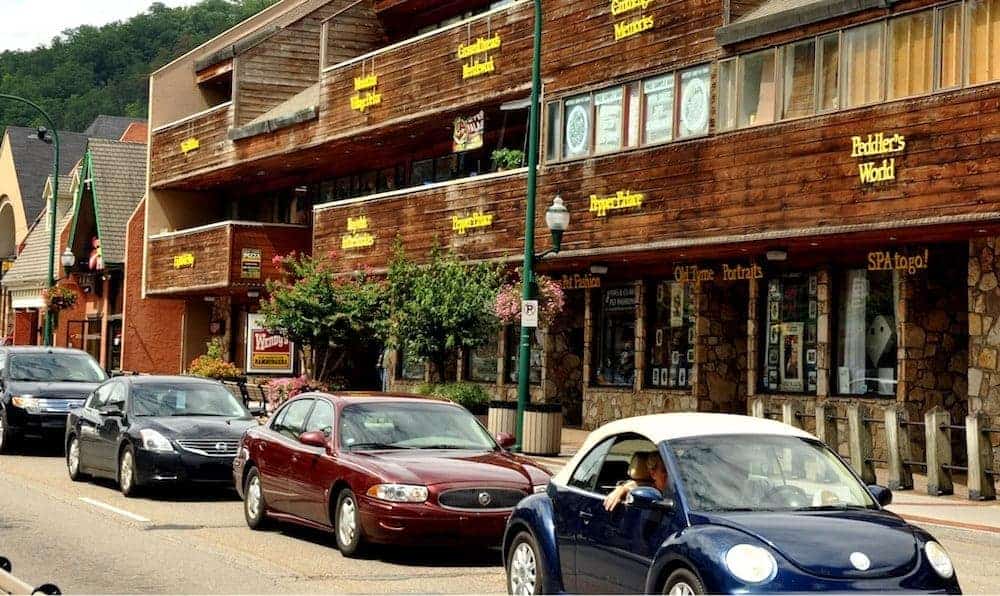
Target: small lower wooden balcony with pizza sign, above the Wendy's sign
x,y
220,258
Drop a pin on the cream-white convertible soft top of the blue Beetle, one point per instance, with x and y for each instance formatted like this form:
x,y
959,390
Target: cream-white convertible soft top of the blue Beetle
x,y
665,427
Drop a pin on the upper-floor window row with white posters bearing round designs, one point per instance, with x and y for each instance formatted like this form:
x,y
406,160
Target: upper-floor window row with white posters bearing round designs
x,y
644,112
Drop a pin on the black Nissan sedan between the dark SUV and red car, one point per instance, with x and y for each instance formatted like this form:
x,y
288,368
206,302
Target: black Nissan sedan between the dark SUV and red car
x,y
155,430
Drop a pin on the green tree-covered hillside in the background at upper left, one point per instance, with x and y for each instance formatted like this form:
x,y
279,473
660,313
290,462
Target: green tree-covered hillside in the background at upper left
x,y
89,70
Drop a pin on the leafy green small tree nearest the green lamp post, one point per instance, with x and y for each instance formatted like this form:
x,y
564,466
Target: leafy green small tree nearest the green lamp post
x,y
434,309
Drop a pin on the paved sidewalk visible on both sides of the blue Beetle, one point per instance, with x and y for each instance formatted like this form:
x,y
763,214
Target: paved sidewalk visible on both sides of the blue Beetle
x,y
953,511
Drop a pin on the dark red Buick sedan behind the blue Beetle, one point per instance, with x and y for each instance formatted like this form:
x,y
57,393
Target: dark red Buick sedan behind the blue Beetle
x,y
388,469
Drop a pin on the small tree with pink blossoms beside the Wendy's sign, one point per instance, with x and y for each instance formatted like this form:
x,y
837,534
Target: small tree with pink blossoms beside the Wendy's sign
x,y
326,315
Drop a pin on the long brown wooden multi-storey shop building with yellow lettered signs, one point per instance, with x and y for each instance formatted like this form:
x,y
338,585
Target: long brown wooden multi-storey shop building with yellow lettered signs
x,y
787,198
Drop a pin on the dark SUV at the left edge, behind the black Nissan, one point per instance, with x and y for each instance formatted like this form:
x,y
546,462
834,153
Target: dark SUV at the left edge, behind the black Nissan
x,y
39,387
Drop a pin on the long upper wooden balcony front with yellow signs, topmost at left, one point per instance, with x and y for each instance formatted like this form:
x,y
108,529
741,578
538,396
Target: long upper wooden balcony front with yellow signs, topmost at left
x,y
422,81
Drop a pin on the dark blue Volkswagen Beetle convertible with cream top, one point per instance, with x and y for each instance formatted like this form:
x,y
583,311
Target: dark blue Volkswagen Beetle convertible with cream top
x,y
747,506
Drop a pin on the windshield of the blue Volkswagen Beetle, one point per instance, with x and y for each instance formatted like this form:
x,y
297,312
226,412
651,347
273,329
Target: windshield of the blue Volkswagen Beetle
x,y
765,473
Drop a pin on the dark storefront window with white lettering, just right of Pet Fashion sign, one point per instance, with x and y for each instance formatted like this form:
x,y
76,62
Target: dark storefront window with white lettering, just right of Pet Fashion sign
x,y
615,362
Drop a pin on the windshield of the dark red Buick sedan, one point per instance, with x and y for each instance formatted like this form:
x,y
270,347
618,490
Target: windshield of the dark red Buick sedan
x,y
413,425
